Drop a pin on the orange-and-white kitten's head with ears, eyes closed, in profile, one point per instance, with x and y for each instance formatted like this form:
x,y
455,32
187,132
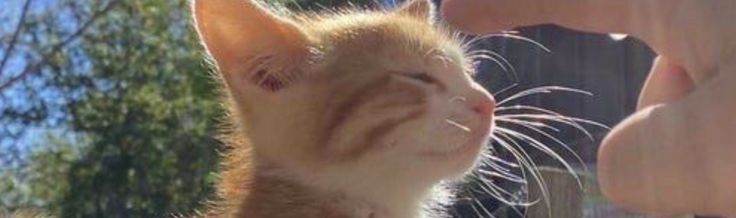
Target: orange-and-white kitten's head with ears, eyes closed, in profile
x,y
357,98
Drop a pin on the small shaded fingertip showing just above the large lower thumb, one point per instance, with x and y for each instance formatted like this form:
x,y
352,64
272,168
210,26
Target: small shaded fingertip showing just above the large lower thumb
x,y
667,82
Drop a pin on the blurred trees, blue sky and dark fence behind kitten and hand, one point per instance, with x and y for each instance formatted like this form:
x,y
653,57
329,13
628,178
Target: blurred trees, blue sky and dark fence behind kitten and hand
x,y
107,110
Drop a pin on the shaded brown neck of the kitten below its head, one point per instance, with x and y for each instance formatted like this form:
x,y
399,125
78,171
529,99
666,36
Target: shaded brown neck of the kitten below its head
x,y
273,191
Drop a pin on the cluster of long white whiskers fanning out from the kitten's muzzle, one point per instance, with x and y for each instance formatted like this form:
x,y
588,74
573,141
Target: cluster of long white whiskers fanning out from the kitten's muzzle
x,y
521,167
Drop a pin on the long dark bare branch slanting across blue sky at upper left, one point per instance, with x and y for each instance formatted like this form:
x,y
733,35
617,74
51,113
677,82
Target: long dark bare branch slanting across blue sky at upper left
x,y
57,48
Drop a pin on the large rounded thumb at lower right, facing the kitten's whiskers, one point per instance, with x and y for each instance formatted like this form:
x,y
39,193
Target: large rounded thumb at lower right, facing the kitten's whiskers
x,y
677,157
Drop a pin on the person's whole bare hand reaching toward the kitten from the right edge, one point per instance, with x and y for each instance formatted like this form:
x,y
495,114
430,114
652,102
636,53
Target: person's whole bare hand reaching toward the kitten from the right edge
x,y
676,154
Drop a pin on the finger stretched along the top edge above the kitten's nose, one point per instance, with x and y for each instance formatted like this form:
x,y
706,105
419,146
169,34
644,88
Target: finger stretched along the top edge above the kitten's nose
x,y
604,16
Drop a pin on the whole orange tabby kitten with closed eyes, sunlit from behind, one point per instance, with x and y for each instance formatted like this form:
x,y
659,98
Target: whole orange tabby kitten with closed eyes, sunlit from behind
x,y
355,113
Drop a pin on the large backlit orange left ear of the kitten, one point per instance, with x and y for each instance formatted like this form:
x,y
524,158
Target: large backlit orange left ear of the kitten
x,y
248,42
